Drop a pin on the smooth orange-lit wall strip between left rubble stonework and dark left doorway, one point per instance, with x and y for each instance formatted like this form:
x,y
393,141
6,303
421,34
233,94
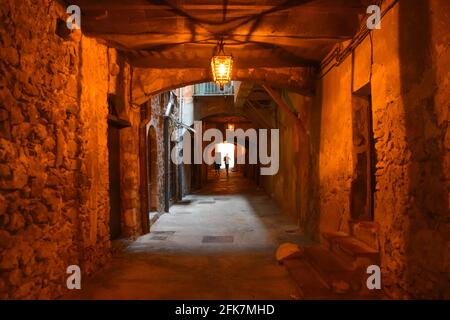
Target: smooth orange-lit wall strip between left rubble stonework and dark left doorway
x,y
93,183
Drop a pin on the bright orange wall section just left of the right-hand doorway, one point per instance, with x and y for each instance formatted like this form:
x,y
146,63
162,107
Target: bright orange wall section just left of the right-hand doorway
x,y
335,149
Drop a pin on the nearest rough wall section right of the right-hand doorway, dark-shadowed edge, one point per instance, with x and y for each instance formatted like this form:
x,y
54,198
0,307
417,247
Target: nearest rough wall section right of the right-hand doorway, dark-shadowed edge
x,y
411,112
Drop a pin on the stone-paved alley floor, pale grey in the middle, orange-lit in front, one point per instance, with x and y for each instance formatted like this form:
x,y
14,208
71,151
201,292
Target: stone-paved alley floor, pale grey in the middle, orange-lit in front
x,y
219,243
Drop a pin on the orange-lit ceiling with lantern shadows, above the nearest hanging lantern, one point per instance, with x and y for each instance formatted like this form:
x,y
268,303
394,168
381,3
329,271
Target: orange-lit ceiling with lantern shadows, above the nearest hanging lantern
x,y
259,33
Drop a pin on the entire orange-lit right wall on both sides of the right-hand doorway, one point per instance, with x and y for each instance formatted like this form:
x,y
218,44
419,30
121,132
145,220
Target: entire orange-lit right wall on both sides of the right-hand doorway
x,y
410,96
